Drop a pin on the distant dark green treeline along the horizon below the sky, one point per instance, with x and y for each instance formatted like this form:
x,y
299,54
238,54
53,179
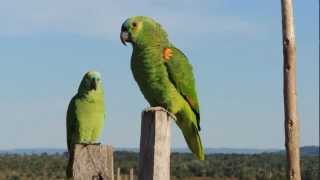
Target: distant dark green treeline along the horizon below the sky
x,y
183,166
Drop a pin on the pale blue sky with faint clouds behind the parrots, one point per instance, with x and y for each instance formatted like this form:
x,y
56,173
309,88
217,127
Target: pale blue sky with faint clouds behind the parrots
x,y
234,47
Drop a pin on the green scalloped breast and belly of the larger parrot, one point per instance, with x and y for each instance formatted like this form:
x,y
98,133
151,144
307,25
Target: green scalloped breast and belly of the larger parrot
x,y
152,77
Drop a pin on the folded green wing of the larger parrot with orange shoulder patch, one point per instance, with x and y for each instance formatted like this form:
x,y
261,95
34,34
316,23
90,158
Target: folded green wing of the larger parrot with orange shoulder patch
x,y
181,75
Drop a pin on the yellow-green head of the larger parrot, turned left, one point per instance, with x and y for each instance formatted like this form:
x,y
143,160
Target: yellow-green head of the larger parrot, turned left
x,y
142,30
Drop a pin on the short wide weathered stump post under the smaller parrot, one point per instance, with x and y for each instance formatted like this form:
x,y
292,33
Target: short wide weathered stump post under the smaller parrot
x,y
92,162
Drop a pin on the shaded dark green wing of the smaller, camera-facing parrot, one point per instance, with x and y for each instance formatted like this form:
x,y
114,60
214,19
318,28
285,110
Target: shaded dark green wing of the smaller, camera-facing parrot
x,y
71,123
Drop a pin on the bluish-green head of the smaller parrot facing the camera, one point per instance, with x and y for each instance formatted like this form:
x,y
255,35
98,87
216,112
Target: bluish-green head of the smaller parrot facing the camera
x,y
91,81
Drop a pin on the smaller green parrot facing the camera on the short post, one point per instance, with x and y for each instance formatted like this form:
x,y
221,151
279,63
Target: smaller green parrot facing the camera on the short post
x,y
85,114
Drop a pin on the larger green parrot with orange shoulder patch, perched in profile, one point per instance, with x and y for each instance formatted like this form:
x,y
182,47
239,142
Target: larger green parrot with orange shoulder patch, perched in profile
x,y
164,76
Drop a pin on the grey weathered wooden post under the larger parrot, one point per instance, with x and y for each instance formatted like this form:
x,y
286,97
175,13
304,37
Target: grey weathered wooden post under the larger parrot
x,y
154,160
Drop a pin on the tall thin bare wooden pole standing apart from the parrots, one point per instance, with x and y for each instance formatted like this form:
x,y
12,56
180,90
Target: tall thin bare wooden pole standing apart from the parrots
x,y
291,122
